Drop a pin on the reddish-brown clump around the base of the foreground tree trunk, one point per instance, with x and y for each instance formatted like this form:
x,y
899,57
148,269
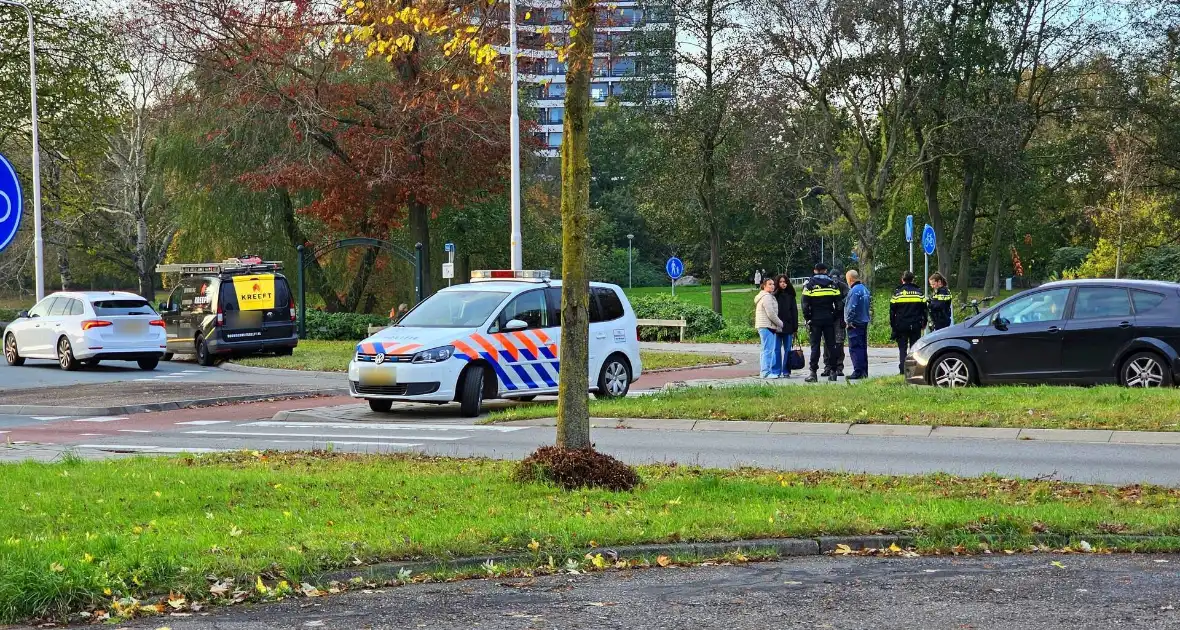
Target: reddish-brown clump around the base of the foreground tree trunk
x,y
574,469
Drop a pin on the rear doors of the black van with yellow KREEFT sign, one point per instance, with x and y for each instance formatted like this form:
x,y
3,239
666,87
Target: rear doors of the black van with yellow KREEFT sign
x,y
257,309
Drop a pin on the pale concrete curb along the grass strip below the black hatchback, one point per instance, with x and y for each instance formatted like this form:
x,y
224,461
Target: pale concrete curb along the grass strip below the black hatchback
x,y
1140,438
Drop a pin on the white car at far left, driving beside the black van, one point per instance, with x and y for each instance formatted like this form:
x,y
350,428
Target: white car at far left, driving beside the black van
x,y
82,329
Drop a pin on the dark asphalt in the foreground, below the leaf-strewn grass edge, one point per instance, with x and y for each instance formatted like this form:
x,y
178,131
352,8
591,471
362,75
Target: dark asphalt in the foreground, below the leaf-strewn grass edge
x,y
1006,593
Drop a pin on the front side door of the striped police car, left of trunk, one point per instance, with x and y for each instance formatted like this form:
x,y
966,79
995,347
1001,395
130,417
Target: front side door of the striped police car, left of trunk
x,y
526,353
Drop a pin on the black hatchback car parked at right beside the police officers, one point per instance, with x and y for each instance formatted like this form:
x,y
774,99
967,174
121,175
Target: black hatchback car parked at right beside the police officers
x,y
1086,332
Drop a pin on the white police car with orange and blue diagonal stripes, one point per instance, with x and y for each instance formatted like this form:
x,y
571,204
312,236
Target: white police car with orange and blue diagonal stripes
x,y
494,338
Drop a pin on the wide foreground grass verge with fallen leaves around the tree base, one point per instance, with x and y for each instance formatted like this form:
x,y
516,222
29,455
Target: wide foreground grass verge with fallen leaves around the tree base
x,y
78,535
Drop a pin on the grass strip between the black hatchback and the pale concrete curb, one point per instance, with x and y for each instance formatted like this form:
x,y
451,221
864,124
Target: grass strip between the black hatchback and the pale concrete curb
x,y
894,403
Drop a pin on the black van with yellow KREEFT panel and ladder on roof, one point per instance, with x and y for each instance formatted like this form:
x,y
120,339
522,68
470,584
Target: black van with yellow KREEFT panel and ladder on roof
x,y
226,310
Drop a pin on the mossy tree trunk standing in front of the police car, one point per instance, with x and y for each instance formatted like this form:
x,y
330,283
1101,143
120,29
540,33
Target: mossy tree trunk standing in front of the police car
x,y
573,402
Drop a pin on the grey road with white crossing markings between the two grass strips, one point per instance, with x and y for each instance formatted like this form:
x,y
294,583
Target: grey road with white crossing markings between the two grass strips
x,y
438,430
